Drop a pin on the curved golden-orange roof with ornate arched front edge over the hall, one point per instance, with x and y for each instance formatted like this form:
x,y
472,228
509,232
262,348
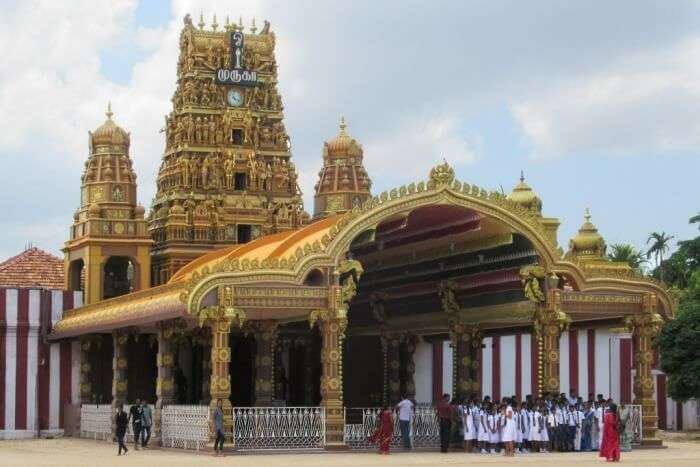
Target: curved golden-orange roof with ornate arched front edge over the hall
x,y
282,260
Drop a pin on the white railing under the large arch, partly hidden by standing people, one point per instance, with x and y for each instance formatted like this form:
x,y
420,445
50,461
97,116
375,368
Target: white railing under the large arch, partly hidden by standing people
x,y
360,423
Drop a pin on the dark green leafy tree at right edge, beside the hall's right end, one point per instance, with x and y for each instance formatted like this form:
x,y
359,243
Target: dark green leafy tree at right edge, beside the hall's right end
x,y
678,345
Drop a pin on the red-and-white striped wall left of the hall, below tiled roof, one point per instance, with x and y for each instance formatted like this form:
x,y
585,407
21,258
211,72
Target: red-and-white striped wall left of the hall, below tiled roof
x,y
36,379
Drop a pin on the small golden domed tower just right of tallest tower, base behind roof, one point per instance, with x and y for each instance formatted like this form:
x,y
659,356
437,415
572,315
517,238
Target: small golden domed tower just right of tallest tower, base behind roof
x,y
343,181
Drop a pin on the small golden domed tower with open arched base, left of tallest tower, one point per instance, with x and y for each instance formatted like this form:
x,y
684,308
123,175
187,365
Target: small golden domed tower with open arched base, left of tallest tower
x,y
108,253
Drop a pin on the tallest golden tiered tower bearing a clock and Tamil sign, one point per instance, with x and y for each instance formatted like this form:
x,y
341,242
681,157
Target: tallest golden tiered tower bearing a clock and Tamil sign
x,y
226,176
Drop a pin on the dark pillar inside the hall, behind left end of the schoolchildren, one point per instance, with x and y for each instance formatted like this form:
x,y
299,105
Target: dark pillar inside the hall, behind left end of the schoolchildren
x,y
466,340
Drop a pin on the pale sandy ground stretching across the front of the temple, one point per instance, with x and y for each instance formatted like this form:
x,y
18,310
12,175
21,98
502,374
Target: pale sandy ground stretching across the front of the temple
x,y
75,452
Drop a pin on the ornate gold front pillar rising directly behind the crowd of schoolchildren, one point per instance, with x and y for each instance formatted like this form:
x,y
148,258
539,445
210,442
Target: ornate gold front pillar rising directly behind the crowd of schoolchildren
x,y
549,323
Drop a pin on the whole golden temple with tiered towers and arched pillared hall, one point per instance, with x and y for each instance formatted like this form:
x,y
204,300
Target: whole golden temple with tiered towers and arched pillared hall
x,y
229,290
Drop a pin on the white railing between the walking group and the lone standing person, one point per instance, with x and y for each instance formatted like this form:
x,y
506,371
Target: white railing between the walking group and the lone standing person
x,y
185,426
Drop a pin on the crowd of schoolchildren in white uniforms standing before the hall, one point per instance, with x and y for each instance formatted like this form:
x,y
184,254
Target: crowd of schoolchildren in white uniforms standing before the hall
x,y
546,424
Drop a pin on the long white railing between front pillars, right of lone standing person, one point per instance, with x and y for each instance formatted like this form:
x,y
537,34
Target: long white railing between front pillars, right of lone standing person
x,y
279,428
